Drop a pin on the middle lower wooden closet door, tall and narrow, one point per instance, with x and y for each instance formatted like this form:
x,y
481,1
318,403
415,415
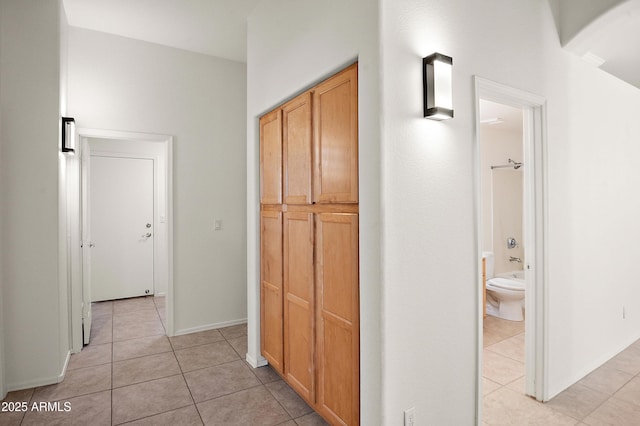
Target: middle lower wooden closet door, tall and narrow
x,y
299,302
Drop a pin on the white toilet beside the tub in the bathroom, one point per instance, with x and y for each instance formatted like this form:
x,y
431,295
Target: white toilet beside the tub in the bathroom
x,y
505,292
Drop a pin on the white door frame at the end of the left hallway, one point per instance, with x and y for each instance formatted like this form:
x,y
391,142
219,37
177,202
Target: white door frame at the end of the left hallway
x,y
83,135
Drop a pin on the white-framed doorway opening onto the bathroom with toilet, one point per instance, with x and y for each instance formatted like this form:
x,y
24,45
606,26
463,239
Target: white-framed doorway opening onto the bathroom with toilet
x,y
510,236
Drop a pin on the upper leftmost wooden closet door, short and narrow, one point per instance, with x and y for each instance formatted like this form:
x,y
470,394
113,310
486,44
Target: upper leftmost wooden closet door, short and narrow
x,y
271,158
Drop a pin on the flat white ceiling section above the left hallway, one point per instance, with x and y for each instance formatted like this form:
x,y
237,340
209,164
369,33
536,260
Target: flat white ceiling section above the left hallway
x,y
212,27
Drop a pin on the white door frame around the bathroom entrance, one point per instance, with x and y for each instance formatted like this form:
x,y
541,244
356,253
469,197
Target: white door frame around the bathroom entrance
x,y
535,220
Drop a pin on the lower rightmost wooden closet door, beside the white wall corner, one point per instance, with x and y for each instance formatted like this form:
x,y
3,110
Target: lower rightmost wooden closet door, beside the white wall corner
x,y
337,321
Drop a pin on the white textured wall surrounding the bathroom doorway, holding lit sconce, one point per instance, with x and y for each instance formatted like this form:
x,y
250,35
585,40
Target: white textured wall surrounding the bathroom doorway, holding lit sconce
x,y
429,227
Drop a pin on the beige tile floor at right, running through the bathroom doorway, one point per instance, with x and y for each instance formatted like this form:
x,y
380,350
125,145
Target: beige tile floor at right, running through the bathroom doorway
x,y
608,396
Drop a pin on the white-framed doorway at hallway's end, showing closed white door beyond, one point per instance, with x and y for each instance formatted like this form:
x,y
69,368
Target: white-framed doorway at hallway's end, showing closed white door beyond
x,y
126,192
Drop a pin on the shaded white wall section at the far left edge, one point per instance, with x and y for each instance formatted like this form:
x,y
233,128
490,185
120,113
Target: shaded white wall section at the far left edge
x,y
34,309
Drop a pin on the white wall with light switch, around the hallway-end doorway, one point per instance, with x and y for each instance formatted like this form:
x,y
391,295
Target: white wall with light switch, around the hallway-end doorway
x,y
121,84
